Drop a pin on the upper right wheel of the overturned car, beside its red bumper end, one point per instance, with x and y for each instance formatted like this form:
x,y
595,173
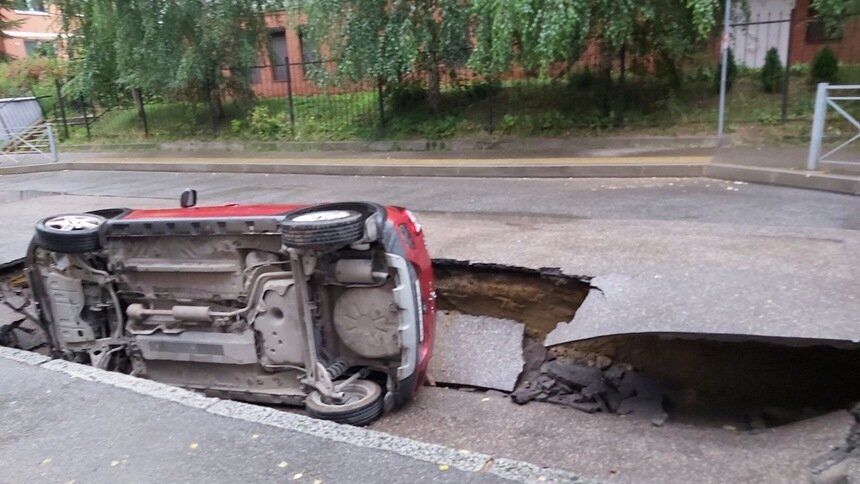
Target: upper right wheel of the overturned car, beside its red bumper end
x,y
318,228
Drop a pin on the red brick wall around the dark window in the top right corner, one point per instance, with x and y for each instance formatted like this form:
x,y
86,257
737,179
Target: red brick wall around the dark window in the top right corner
x,y
847,48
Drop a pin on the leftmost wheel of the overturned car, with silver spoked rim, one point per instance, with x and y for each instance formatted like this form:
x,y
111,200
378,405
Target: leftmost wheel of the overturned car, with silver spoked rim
x,y
70,233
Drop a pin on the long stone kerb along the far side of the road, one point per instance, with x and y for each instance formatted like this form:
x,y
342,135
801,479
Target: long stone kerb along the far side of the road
x,y
809,180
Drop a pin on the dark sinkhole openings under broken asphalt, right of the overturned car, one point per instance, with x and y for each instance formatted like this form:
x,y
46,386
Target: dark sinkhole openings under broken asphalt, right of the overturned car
x,y
744,382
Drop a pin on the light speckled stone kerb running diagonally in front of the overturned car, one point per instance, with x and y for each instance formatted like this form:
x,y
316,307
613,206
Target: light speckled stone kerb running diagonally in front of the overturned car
x,y
360,437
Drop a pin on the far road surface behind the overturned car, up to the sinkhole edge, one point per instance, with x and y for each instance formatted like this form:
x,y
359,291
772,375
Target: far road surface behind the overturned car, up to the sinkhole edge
x,y
678,255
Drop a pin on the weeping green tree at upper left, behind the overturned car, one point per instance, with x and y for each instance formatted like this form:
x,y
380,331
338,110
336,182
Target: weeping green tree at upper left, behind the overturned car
x,y
192,49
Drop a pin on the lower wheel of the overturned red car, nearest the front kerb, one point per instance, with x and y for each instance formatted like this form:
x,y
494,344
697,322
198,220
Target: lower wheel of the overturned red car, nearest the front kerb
x,y
362,404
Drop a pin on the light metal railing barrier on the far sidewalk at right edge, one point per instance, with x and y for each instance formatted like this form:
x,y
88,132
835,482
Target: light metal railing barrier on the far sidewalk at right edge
x,y
823,100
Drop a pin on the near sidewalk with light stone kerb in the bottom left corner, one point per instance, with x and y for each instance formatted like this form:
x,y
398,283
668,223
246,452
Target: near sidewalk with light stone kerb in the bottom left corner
x,y
53,410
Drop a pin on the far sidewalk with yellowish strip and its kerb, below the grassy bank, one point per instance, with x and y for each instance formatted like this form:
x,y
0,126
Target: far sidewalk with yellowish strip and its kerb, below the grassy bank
x,y
768,165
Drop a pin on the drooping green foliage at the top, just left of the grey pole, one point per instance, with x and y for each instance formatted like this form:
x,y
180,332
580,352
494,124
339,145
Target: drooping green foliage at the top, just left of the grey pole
x,y
537,33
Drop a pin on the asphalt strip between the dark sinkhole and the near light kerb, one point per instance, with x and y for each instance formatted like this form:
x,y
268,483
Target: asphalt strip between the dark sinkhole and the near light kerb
x,y
616,448
